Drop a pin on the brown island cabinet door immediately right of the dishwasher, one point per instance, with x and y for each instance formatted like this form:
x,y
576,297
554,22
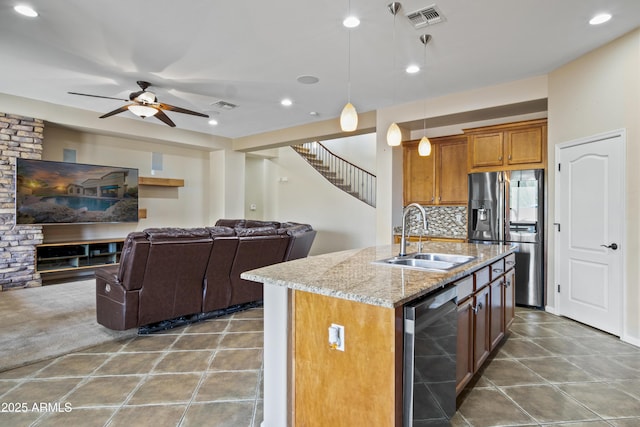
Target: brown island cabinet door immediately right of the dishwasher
x,y
464,357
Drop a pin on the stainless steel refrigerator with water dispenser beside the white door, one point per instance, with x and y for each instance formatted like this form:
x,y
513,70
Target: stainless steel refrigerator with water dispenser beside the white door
x,y
508,207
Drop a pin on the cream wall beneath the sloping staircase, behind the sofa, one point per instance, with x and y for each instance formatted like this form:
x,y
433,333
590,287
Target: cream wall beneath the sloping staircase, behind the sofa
x,y
294,191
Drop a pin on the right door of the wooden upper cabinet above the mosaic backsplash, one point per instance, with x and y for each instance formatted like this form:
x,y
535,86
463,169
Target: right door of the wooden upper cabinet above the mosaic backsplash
x,y
451,172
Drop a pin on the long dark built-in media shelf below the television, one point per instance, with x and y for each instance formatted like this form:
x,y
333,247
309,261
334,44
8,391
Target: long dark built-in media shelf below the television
x,y
74,256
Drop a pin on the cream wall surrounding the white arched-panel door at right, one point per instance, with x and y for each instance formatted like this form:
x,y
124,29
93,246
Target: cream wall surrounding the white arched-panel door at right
x,y
596,93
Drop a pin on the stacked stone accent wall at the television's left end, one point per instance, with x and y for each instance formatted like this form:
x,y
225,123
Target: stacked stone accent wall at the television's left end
x,y
20,137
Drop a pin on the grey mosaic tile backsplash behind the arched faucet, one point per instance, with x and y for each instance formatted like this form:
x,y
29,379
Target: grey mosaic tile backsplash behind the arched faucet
x,y
444,221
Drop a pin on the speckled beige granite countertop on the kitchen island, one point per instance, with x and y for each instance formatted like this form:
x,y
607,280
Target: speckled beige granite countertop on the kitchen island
x,y
351,274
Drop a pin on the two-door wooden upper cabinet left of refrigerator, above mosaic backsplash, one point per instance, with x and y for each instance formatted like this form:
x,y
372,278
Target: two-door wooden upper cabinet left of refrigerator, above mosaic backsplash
x,y
438,179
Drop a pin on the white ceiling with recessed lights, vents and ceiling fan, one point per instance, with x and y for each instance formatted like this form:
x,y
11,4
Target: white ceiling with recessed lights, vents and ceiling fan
x,y
250,53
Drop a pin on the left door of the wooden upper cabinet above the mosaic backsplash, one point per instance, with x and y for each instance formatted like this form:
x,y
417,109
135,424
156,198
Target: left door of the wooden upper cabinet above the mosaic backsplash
x,y
418,176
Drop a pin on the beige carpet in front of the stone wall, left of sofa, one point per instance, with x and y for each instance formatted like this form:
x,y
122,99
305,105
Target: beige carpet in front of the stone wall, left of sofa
x,y
49,321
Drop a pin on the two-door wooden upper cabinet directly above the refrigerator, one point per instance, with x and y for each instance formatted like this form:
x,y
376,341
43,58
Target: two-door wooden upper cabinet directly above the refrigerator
x,y
521,145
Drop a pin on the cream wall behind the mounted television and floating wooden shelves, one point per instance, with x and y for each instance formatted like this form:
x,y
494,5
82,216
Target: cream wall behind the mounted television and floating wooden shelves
x,y
186,206
